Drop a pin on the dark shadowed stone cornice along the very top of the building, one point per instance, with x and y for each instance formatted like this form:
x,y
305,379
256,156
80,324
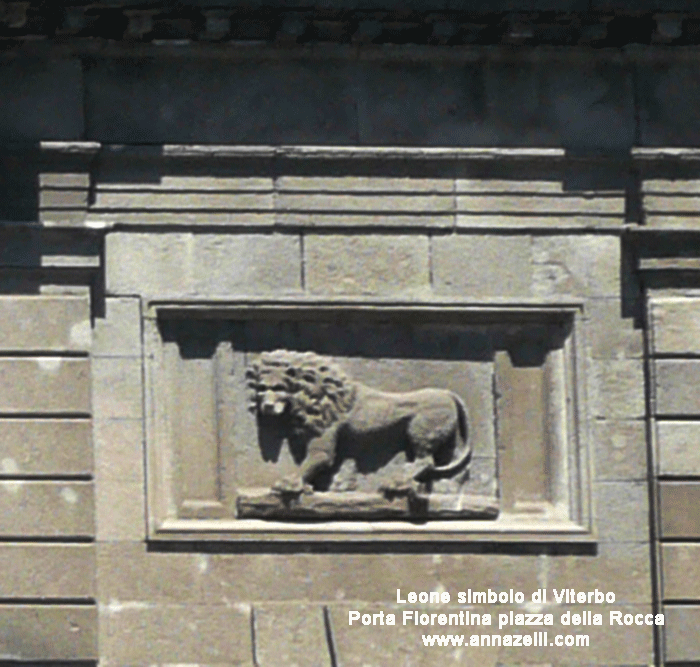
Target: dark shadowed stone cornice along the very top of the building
x,y
597,23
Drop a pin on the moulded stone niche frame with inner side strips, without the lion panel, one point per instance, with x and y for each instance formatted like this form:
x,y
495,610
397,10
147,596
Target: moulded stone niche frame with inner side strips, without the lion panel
x,y
551,505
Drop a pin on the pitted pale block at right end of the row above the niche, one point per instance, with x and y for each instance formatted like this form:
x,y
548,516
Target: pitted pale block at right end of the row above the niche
x,y
576,266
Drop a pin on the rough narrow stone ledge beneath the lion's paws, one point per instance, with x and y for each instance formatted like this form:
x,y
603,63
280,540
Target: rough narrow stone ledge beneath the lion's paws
x,y
265,504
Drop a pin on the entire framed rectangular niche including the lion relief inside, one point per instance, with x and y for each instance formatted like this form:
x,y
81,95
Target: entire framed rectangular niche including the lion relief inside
x,y
320,422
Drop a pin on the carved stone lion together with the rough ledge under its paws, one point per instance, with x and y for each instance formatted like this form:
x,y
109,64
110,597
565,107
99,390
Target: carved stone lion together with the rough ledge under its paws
x,y
340,420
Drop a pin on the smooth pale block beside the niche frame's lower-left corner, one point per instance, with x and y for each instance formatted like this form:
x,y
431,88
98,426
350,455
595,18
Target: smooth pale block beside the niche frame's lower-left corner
x,y
120,510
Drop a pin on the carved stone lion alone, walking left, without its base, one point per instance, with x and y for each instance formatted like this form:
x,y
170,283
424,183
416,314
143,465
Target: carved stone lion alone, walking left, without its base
x,y
333,413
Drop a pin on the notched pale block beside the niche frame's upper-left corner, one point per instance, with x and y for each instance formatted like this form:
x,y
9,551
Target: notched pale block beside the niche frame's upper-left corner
x,y
119,332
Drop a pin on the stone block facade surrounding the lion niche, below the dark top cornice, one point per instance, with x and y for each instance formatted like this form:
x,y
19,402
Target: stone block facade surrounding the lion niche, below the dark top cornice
x,y
503,188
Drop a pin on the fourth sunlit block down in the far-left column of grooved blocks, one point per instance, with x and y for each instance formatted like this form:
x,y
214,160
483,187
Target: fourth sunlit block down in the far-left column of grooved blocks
x,y
46,509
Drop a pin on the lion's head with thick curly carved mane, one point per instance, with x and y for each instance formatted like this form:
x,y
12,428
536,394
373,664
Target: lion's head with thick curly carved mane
x,y
312,390
